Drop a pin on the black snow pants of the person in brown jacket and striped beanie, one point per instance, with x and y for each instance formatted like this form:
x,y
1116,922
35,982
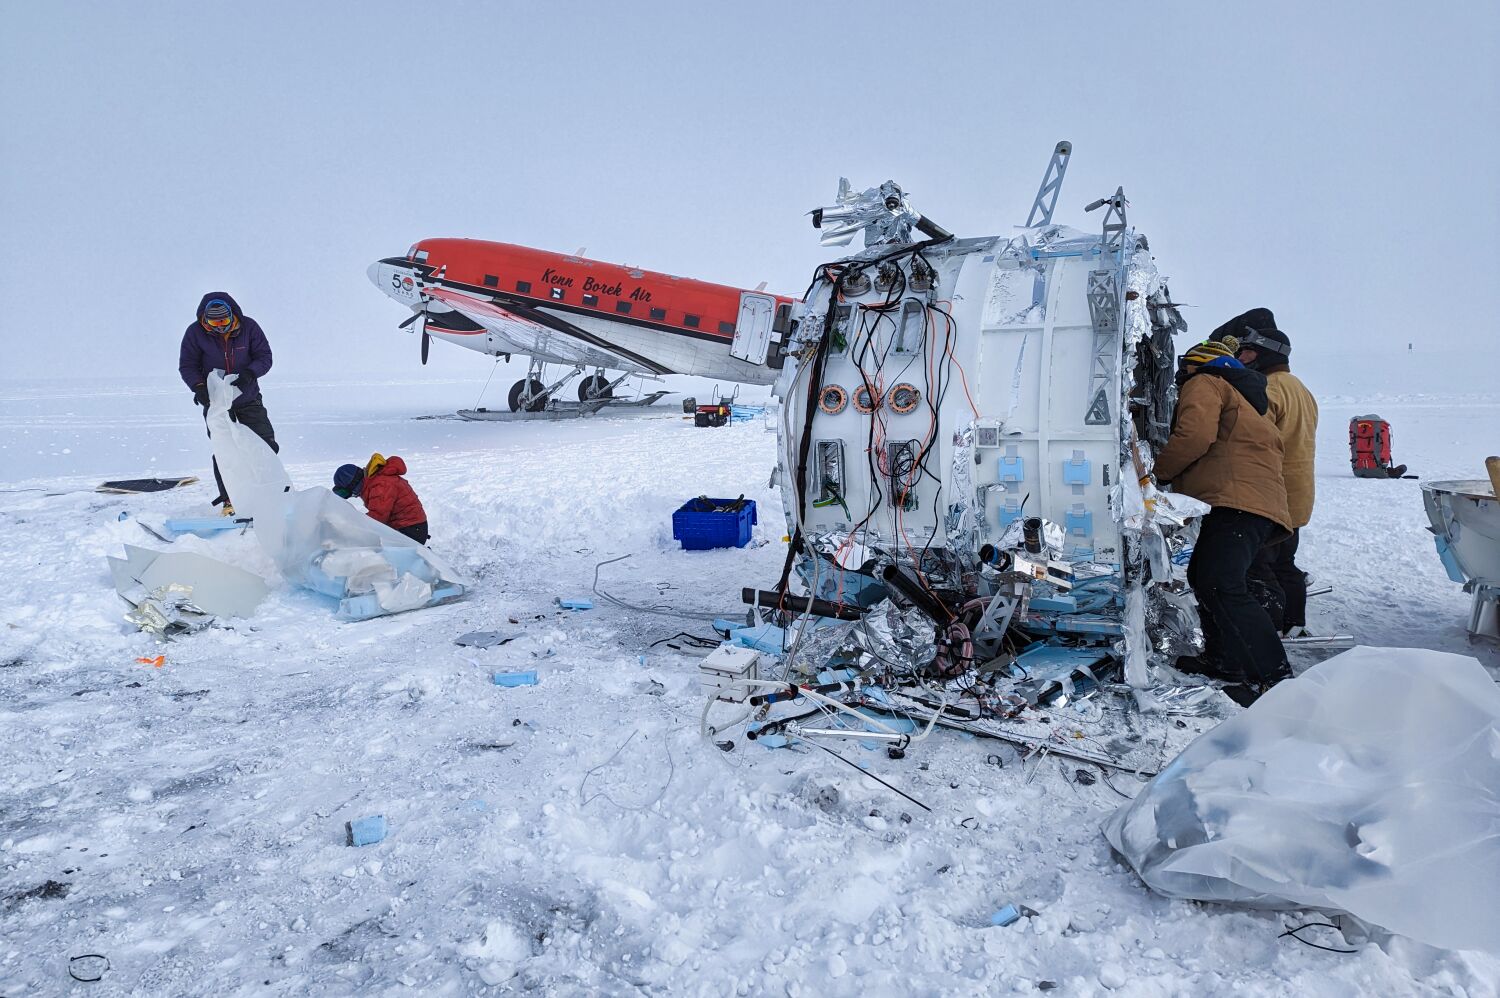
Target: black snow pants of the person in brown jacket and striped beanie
x,y
1240,637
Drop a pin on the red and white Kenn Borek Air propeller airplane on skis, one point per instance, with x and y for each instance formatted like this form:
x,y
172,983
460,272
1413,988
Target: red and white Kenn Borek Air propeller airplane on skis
x,y
554,308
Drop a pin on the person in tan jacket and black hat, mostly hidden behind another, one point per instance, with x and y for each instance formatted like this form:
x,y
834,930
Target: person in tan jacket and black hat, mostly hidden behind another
x,y
1294,410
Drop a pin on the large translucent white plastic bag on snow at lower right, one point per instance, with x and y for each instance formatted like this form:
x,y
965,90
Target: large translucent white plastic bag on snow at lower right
x,y
1370,786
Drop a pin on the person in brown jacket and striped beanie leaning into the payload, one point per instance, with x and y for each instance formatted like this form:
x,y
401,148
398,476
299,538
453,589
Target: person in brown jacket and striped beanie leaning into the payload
x,y
1225,452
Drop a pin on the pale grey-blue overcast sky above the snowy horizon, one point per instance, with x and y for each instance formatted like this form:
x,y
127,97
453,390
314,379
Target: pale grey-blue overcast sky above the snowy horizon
x,y
1333,161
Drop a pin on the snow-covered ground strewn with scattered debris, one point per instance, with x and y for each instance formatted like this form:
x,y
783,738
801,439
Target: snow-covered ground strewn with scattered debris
x,y
187,822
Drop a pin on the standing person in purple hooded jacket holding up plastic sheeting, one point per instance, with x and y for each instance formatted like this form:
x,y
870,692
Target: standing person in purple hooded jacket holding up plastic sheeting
x,y
229,341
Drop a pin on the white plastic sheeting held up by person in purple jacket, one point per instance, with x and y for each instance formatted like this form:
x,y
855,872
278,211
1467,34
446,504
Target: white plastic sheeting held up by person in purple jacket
x,y
319,540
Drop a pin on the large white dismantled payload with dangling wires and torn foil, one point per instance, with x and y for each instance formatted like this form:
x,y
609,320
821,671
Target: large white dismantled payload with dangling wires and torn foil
x,y
967,440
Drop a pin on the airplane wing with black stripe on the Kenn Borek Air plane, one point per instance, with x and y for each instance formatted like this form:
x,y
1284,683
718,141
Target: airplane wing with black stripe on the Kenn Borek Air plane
x,y
545,335
